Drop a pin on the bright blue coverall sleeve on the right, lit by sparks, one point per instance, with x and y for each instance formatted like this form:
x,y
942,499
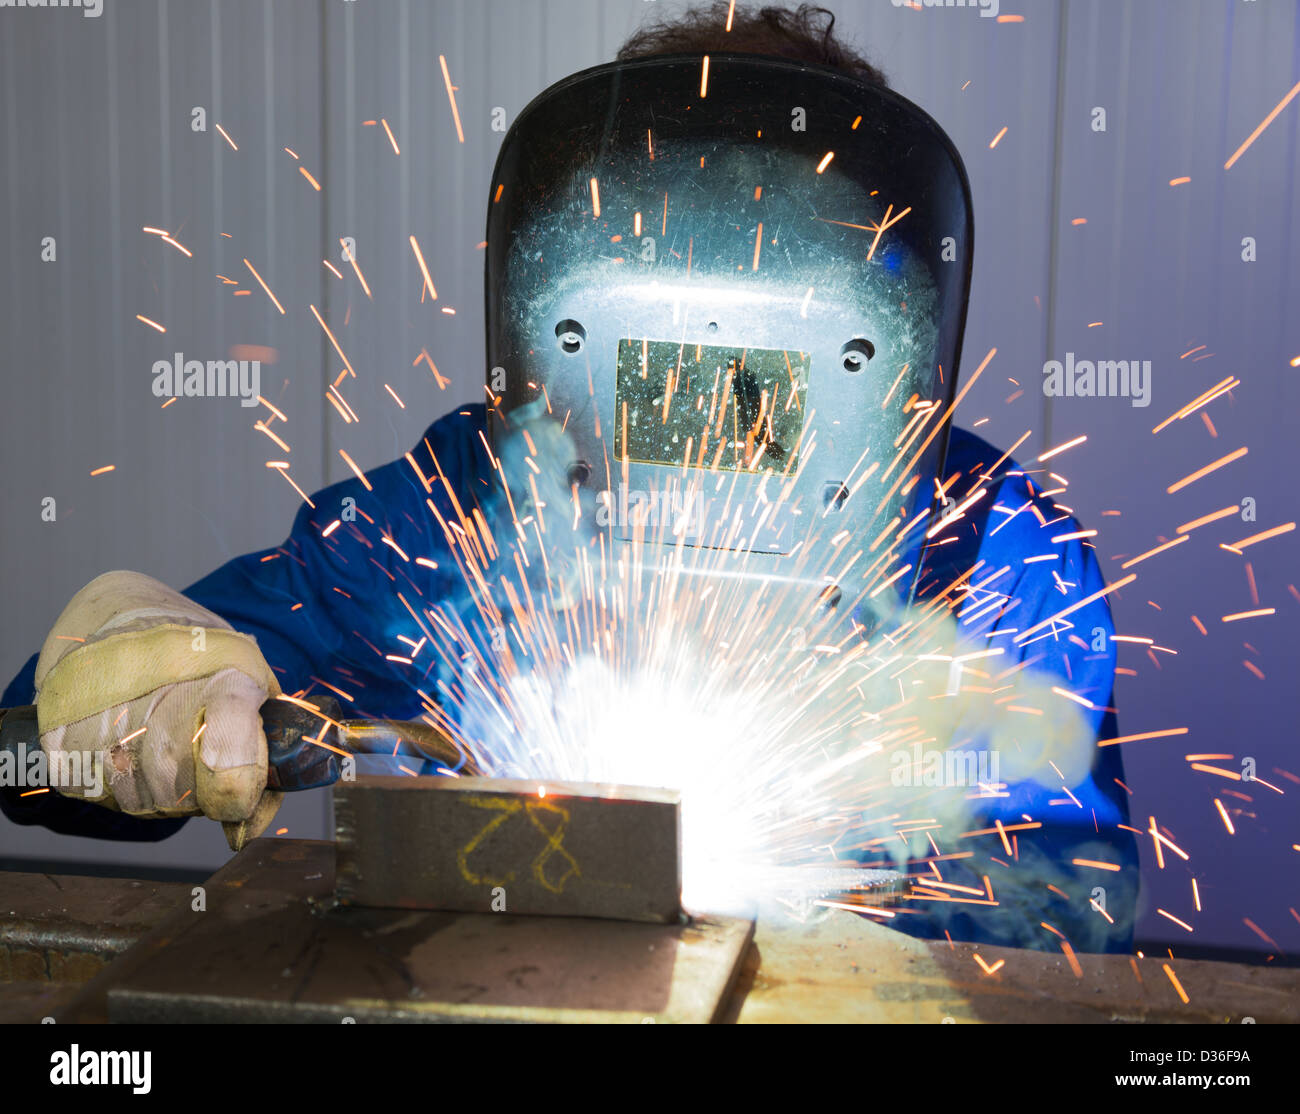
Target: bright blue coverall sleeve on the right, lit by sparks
x,y
1029,580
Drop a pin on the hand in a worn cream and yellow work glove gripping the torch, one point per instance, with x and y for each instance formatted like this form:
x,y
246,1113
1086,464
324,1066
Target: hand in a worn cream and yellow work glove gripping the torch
x,y
166,696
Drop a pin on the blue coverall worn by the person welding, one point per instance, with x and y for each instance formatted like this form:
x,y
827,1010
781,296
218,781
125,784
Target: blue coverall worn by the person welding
x,y
327,609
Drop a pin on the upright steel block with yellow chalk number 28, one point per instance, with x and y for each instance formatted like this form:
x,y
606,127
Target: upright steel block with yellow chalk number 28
x,y
496,846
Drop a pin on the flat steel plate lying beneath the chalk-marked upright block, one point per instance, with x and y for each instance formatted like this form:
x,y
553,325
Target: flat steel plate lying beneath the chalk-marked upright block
x,y
271,946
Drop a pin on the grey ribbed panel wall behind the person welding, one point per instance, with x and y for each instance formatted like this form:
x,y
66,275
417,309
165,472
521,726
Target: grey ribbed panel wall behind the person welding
x,y
97,142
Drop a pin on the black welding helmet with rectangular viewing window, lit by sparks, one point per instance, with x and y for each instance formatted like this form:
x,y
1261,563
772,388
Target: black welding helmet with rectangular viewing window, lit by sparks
x,y
739,275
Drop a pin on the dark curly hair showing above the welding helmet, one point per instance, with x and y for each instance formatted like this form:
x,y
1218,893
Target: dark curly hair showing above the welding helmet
x,y
804,34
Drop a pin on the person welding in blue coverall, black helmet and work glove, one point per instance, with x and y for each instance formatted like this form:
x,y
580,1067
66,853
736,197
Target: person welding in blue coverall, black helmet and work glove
x,y
738,183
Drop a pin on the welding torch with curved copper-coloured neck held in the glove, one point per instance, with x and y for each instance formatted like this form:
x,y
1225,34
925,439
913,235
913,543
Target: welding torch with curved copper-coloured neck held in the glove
x,y
307,743
